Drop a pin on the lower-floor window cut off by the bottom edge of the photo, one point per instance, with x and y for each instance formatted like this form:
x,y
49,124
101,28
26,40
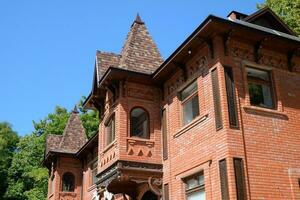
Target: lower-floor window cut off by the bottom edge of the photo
x,y
194,187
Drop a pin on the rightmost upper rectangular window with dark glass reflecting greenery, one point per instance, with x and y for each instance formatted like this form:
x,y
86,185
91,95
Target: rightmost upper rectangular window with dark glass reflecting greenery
x,y
260,88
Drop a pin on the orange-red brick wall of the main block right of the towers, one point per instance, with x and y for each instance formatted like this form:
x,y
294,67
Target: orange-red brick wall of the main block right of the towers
x,y
266,139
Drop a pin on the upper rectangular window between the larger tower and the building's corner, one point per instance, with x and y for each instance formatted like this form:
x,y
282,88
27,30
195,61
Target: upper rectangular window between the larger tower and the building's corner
x,y
190,102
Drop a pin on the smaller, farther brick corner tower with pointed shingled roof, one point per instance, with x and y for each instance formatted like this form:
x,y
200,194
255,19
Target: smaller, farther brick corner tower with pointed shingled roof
x,y
65,180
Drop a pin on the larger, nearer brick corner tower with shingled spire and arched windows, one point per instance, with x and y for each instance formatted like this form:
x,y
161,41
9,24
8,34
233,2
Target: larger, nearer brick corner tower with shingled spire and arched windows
x,y
129,105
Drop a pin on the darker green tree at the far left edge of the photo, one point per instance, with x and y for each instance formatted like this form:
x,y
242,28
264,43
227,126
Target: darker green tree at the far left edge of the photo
x,y
8,141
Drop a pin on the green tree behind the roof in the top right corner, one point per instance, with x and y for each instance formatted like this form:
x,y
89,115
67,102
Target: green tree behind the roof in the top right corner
x,y
288,10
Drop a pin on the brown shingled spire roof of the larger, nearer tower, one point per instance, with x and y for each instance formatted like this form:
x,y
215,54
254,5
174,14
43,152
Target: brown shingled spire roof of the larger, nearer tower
x,y
139,52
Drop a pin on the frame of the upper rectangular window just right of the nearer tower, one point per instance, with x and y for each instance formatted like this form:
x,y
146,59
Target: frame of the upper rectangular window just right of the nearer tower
x,y
187,99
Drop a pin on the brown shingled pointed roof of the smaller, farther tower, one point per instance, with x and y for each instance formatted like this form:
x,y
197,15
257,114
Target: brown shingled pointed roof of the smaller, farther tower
x,y
73,137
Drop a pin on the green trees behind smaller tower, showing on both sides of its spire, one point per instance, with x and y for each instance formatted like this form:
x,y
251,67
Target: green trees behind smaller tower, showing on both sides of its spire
x,y
27,178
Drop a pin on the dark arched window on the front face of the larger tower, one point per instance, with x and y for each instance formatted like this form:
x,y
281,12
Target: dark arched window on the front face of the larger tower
x,y
139,123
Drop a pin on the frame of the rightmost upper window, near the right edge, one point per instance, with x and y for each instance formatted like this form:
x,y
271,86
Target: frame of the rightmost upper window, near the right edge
x,y
270,84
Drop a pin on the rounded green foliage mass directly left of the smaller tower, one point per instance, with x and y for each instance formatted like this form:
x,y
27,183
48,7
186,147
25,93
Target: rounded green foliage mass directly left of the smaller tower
x,y
26,176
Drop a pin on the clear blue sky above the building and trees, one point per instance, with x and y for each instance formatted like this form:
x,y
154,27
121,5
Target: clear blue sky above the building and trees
x,y
47,48
